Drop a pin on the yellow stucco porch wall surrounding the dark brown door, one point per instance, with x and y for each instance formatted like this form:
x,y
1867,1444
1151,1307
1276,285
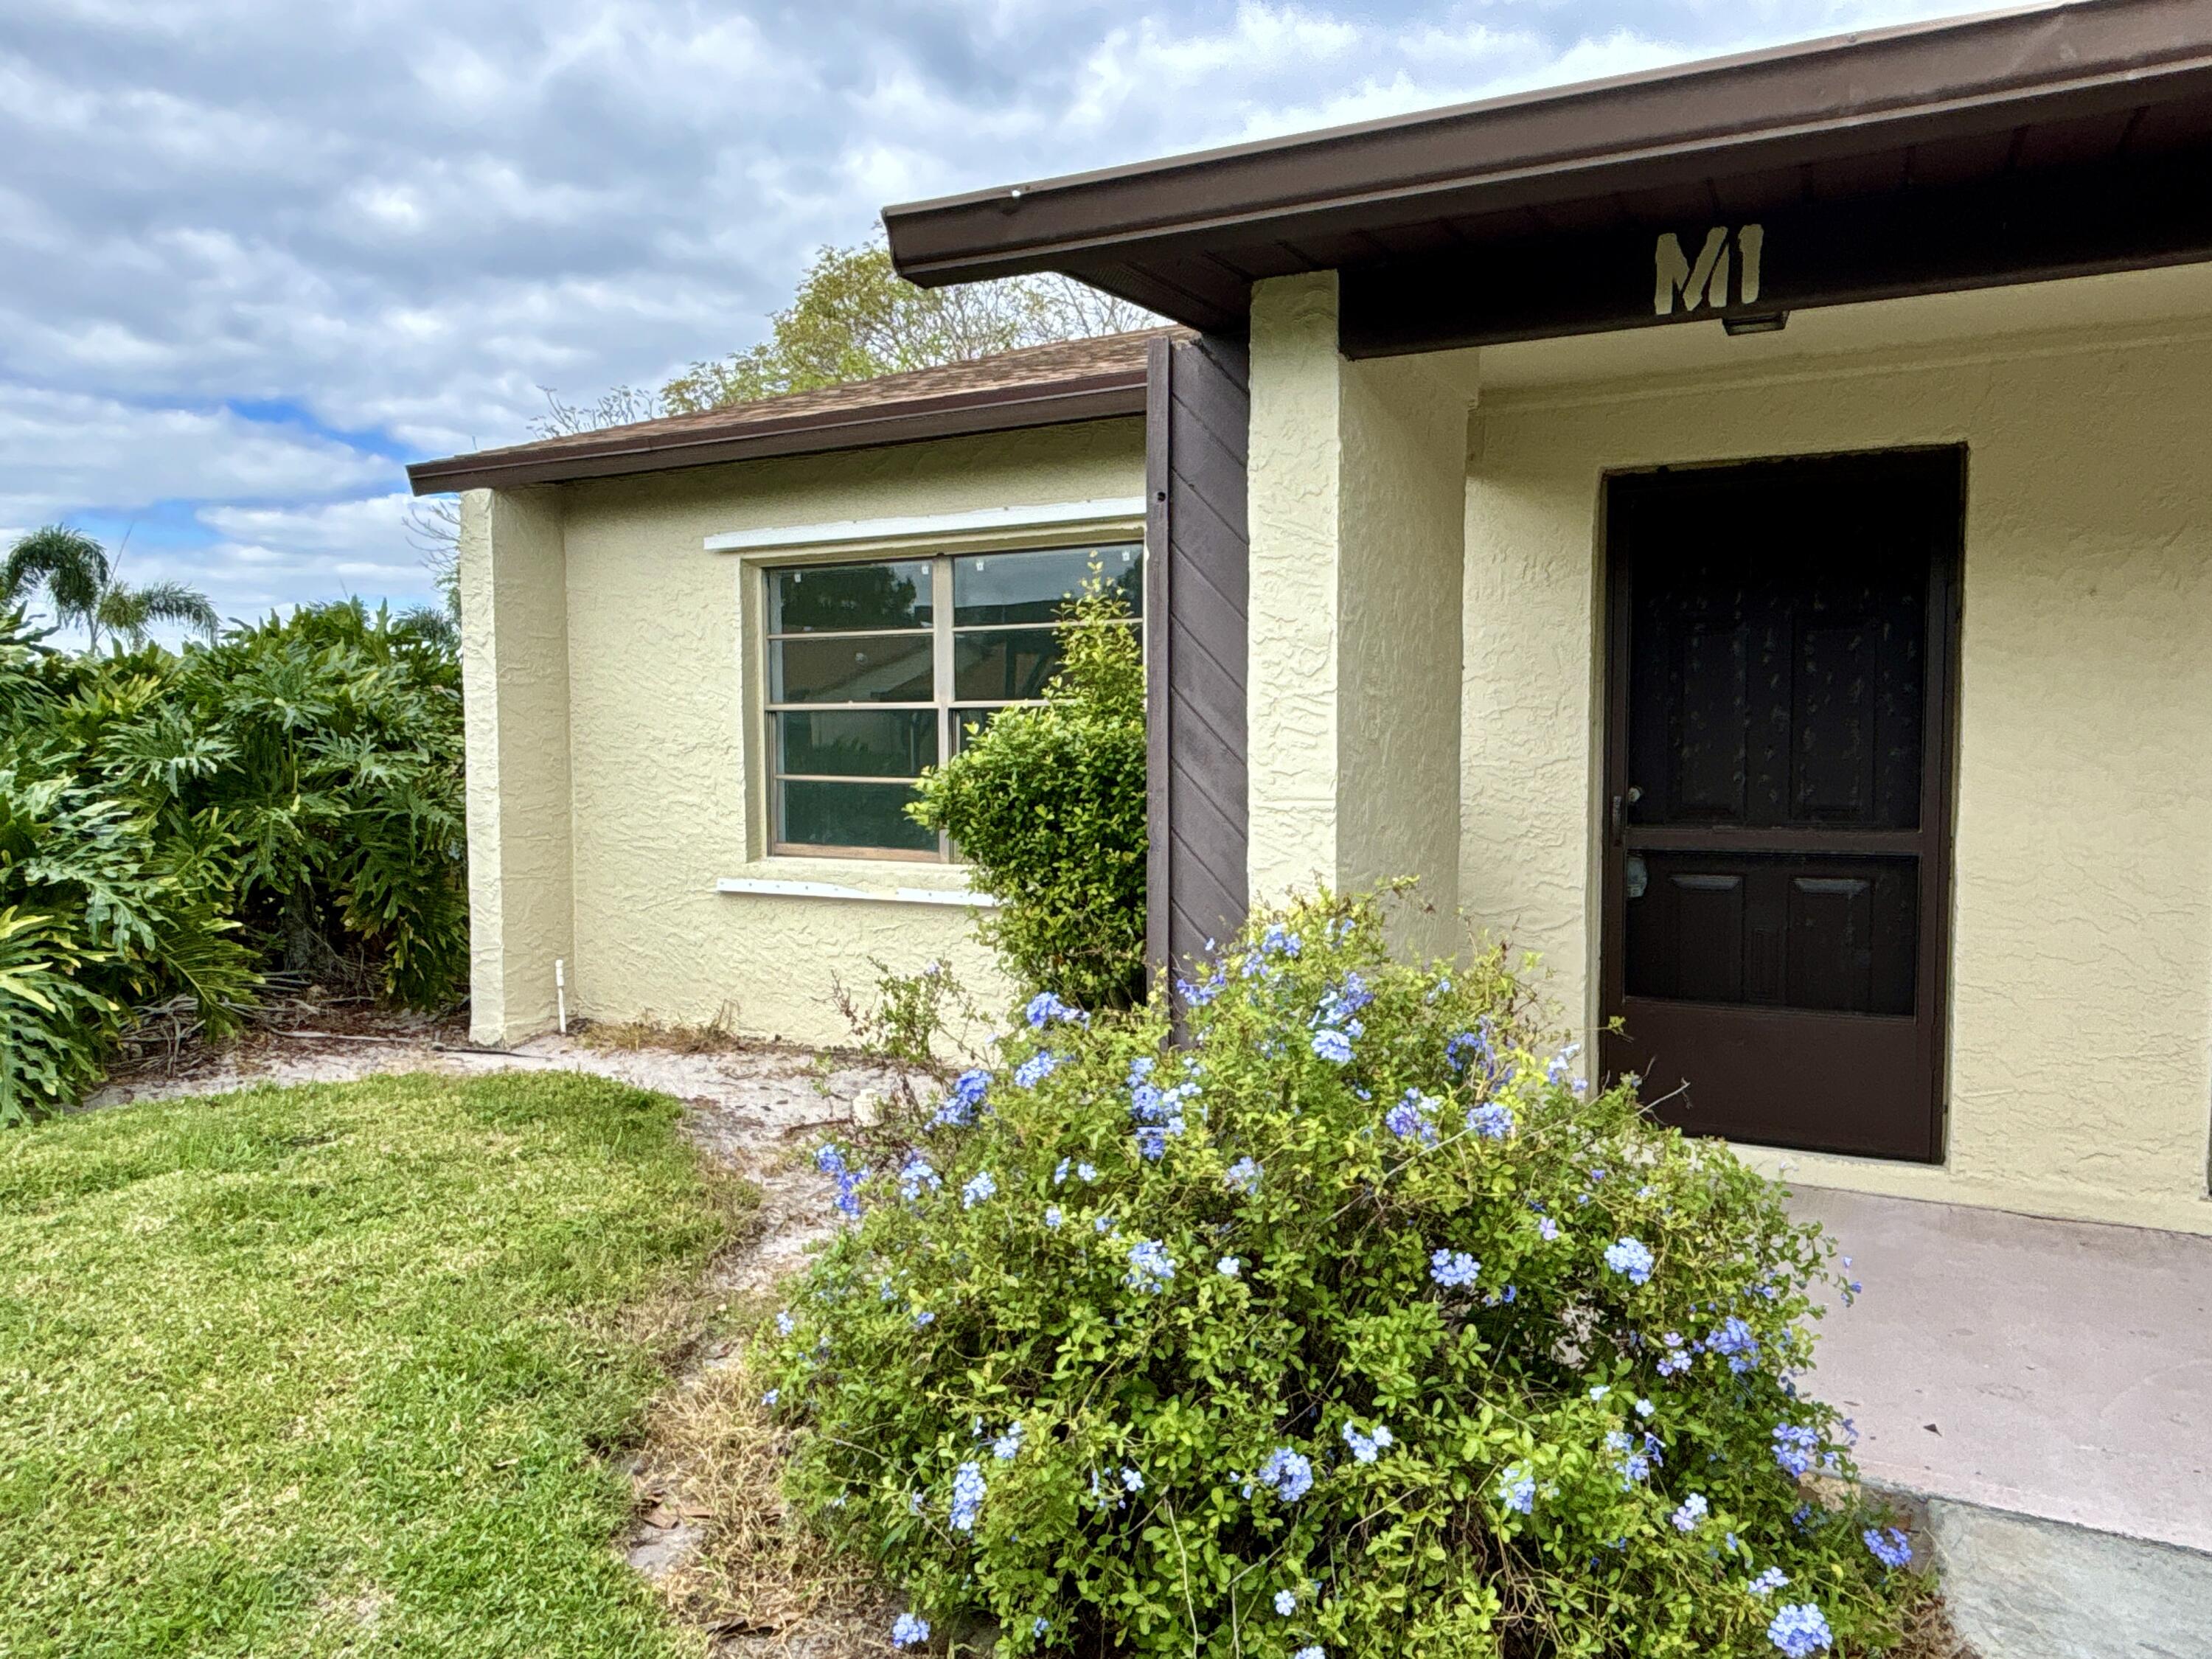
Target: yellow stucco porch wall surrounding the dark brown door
x,y
2080,1036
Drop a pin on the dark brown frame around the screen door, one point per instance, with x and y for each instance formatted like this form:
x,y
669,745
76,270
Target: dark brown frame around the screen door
x,y
1939,773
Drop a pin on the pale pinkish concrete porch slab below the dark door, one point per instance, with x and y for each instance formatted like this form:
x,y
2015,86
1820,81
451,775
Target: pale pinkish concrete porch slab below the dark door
x,y
2045,1368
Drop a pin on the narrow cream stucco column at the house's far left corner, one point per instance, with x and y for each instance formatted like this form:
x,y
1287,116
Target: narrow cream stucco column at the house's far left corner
x,y
514,669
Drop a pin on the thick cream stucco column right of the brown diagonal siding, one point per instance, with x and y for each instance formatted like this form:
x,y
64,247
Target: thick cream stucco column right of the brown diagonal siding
x,y
1357,512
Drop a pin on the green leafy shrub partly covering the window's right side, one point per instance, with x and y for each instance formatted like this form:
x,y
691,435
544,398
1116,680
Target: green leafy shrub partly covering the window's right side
x,y
1047,808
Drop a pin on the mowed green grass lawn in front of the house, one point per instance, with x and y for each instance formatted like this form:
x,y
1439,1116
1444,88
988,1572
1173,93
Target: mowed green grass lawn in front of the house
x,y
331,1370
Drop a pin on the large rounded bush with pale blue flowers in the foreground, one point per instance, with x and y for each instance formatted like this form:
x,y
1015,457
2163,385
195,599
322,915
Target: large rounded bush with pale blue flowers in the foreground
x,y
1350,1328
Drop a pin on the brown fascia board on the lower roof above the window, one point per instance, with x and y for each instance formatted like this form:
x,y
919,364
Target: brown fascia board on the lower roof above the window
x,y
1100,397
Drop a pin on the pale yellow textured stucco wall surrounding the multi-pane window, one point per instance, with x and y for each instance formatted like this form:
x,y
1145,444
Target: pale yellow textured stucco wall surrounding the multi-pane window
x,y
662,733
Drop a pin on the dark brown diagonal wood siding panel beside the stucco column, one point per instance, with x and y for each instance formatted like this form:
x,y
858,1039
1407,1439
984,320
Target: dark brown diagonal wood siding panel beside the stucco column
x,y
1198,587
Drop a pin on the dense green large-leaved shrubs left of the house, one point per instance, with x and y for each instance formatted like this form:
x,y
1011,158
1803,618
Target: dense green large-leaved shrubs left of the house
x,y
176,826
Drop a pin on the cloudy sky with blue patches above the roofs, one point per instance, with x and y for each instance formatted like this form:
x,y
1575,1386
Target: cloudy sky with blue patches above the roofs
x,y
255,255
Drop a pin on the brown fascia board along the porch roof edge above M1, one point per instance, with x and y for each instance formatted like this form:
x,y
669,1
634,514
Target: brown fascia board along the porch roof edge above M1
x,y
1815,101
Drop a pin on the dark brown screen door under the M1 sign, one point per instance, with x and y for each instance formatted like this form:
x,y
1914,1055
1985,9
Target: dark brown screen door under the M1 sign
x,y
1777,760
